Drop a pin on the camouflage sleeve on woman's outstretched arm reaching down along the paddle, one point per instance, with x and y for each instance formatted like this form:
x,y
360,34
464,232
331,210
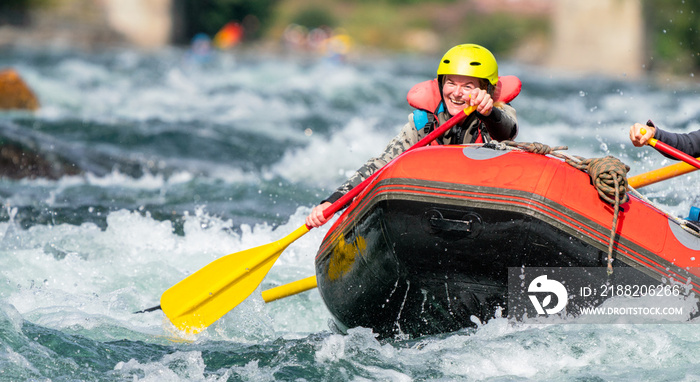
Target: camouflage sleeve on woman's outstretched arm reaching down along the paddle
x,y
407,137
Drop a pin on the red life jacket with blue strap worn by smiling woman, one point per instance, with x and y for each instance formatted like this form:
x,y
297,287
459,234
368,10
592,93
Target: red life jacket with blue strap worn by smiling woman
x,y
426,97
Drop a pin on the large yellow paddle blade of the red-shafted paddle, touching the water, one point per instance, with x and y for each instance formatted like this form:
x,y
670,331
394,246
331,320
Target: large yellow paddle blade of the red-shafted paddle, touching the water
x,y
206,295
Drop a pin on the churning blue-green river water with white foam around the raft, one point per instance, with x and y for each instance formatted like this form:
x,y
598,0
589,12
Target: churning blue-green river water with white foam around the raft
x,y
188,160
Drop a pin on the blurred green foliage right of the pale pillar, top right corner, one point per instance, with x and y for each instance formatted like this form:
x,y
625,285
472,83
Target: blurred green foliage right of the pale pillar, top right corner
x,y
672,28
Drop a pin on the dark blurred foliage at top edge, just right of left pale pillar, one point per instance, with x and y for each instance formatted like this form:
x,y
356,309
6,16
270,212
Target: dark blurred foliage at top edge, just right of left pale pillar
x,y
208,16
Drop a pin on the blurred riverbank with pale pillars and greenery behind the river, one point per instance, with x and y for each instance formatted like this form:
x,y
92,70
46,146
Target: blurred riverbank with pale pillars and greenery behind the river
x,y
612,37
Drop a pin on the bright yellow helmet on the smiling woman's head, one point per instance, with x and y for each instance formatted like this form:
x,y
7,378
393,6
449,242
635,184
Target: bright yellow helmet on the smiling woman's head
x,y
470,60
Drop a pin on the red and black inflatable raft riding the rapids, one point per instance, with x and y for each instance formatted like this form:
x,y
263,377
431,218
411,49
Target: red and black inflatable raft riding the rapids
x,y
429,243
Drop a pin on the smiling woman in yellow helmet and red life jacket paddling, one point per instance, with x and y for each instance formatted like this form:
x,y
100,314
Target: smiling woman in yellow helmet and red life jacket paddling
x,y
467,76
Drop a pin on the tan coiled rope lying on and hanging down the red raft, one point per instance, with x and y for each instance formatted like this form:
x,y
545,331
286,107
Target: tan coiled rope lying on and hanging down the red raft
x,y
608,175
